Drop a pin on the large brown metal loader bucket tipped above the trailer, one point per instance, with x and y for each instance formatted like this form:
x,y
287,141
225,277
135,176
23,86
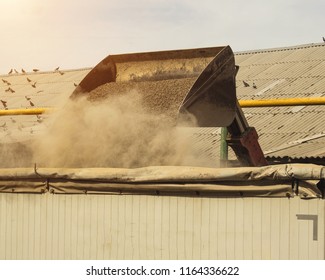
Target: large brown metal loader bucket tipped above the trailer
x,y
210,72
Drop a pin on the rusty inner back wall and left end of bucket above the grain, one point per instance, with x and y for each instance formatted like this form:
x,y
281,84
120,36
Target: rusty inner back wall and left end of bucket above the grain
x,y
148,66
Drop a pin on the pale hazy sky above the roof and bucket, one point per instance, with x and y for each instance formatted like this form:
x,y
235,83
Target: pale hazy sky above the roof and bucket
x,y
75,34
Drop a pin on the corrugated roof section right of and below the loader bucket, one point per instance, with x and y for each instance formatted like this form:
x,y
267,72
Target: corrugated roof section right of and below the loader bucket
x,y
290,72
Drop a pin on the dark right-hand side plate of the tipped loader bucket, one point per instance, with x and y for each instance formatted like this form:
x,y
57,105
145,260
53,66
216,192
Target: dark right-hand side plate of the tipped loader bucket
x,y
212,98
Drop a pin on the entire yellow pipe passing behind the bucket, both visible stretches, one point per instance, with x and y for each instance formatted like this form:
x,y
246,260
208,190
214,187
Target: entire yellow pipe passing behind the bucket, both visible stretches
x,y
242,103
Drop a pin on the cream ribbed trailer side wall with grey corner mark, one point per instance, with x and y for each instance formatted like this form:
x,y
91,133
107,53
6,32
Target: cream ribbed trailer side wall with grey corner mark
x,y
156,227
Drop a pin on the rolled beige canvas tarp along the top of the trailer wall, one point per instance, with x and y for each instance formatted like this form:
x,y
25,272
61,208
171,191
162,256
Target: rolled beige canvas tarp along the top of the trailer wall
x,y
277,180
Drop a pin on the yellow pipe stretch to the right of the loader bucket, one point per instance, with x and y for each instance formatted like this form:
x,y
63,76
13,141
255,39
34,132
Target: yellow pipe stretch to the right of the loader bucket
x,y
282,102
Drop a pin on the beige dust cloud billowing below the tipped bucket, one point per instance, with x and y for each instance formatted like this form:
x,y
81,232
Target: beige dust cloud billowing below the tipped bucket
x,y
118,132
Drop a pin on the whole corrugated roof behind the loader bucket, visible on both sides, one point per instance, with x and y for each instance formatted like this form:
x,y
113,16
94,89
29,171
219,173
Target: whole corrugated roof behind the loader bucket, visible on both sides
x,y
297,71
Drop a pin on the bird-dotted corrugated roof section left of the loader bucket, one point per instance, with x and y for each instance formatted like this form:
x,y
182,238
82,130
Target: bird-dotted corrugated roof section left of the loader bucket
x,y
40,89
